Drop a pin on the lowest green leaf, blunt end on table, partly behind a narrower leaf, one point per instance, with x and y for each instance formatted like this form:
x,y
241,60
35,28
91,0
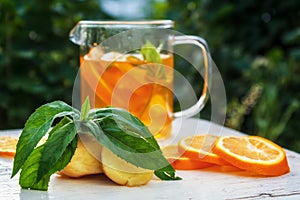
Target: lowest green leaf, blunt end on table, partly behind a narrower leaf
x,y
29,174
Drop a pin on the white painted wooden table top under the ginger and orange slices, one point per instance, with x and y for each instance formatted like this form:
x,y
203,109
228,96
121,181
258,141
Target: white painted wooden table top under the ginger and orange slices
x,y
210,183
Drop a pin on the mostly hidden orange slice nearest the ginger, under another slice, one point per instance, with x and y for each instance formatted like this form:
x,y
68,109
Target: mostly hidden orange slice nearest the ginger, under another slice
x,y
180,162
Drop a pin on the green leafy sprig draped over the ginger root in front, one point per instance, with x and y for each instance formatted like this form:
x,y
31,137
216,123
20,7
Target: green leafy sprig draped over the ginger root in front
x,y
116,129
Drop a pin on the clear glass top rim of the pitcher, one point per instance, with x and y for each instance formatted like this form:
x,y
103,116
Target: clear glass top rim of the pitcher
x,y
135,23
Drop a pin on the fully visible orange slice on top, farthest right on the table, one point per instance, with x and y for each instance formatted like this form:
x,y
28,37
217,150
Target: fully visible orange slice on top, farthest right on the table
x,y
253,153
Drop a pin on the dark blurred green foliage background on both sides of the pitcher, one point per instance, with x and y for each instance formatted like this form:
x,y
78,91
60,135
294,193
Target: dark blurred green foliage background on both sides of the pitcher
x,y
255,44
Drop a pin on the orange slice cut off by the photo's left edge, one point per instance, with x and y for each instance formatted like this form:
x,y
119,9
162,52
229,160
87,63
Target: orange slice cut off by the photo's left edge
x,y
8,146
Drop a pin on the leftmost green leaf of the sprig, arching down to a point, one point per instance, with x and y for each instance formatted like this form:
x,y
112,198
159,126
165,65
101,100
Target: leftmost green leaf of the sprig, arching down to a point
x,y
37,125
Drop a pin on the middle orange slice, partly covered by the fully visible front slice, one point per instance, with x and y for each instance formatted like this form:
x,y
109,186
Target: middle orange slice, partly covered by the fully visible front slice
x,y
199,148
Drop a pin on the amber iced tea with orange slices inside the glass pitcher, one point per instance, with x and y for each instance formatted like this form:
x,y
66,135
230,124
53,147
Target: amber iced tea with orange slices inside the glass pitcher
x,y
126,81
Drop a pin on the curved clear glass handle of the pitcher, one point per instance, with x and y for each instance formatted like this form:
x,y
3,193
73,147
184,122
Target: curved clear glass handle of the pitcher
x,y
200,42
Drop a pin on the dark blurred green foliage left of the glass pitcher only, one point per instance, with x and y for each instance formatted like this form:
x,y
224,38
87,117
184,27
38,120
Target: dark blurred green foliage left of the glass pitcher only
x,y
38,63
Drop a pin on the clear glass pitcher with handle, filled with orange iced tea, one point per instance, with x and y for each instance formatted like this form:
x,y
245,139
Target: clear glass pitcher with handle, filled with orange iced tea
x,y
130,64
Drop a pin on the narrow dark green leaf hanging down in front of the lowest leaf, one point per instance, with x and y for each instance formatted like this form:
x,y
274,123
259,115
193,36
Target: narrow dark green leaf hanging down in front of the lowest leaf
x,y
55,146
